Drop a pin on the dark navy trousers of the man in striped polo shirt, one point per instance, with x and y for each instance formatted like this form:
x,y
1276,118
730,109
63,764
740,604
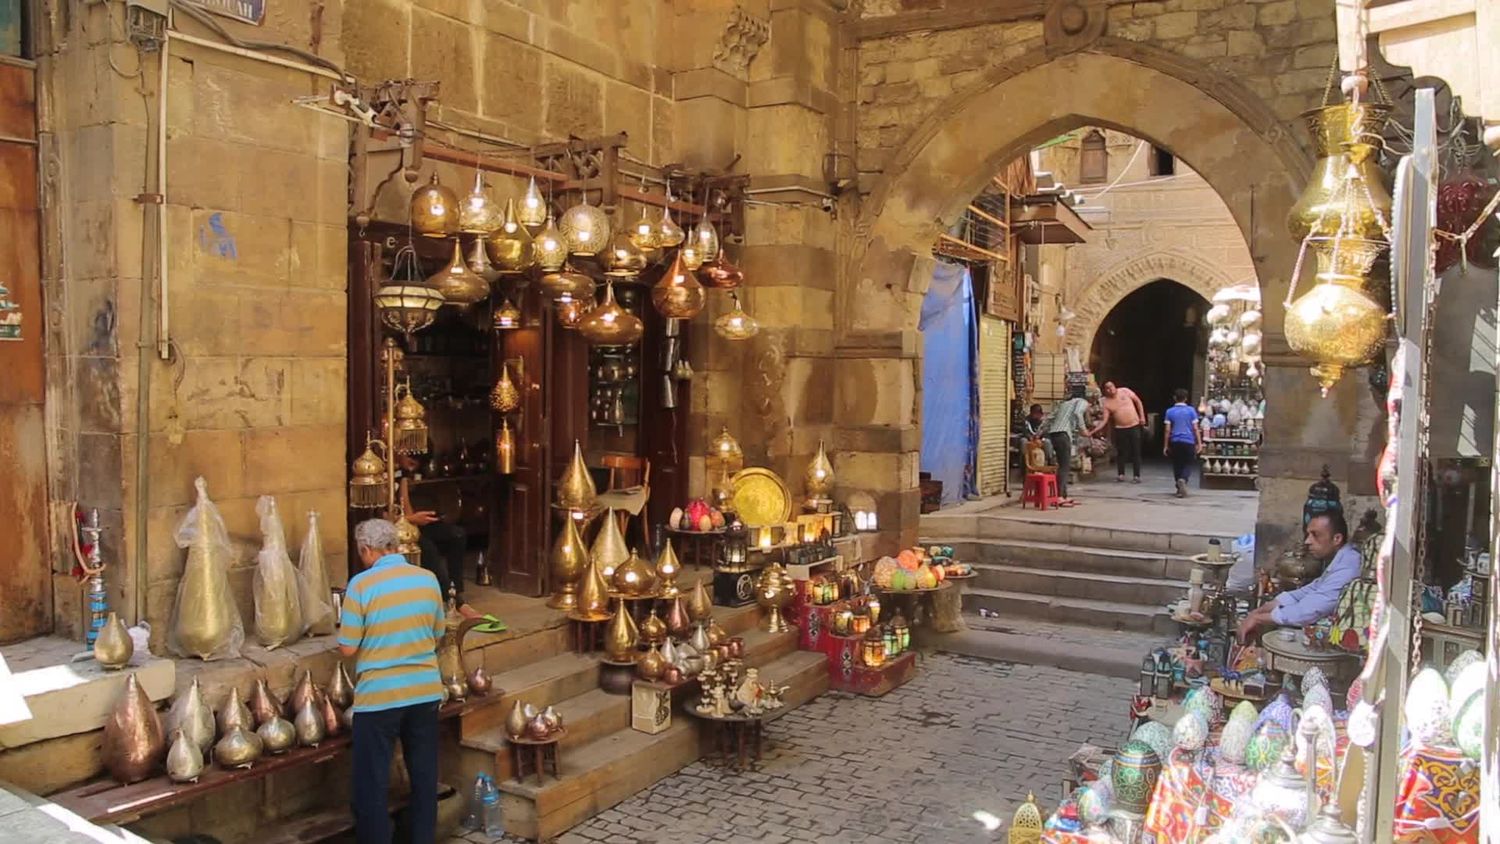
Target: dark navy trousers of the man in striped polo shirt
x,y
376,735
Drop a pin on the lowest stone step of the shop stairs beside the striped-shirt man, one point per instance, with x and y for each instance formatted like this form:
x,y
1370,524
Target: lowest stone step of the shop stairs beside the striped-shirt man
x,y
608,770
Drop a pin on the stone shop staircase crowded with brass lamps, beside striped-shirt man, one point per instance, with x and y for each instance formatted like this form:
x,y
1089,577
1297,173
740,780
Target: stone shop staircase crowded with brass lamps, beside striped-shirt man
x,y
602,761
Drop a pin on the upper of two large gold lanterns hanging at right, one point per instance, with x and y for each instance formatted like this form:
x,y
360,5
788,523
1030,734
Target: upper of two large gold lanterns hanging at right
x,y
1348,187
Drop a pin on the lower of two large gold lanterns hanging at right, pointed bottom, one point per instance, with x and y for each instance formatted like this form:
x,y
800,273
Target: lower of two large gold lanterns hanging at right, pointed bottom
x,y
1339,323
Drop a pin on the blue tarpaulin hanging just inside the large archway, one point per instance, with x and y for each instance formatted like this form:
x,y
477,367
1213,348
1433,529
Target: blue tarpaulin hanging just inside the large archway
x,y
950,397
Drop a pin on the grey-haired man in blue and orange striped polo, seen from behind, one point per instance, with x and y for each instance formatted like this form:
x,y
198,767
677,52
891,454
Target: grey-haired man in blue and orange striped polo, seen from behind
x,y
392,624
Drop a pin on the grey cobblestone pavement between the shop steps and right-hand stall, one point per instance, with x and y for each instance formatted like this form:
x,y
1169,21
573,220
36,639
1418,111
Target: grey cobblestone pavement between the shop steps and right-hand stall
x,y
965,737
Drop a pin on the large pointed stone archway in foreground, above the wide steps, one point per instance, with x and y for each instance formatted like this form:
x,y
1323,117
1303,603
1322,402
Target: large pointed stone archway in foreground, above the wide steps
x,y
1232,139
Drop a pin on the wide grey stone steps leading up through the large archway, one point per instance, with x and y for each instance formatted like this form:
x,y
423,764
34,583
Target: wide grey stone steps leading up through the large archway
x,y
1060,590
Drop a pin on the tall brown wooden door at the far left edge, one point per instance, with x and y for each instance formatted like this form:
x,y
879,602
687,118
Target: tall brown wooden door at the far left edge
x,y
25,560
